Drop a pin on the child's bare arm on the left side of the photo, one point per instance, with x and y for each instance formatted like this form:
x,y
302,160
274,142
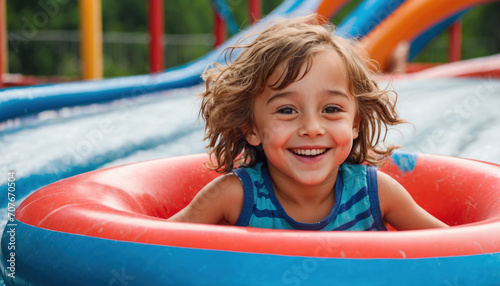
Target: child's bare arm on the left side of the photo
x,y
219,202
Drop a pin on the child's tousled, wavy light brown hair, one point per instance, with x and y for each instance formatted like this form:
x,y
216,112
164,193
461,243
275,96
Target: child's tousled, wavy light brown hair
x,y
227,103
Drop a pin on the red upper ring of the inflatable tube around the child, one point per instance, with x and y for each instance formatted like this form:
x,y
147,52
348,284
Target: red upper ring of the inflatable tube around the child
x,y
131,203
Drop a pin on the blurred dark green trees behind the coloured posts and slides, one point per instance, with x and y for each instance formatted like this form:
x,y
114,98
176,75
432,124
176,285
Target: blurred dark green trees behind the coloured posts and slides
x,y
51,47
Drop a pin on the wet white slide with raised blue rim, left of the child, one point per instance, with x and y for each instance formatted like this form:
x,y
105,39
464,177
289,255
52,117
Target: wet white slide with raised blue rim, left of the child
x,y
89,136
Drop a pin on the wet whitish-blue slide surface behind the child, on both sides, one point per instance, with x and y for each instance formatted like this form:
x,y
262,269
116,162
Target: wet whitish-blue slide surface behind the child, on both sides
x,y
450,116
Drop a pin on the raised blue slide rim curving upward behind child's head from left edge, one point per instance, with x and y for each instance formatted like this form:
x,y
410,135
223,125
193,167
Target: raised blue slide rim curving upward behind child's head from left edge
x,y
15,102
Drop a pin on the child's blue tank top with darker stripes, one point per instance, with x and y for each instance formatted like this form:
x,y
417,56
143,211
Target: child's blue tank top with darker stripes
x,y
356,201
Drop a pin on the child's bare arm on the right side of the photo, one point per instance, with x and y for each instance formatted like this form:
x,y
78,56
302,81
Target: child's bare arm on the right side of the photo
x,y
399,209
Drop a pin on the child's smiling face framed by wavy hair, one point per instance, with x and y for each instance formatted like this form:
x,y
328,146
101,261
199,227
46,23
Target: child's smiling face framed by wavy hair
x,y
307,129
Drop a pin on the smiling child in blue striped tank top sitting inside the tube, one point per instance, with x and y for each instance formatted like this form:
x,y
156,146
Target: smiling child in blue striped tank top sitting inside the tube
x,y
296,124
